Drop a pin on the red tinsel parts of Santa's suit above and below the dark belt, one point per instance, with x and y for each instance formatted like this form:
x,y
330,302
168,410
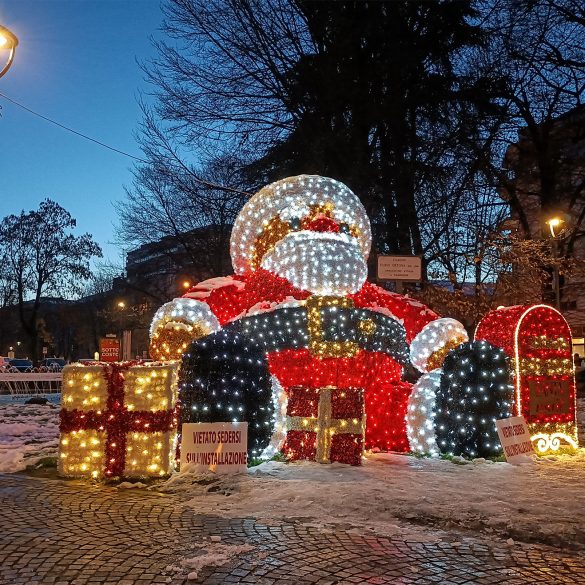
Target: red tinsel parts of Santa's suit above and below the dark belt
x,y
377,373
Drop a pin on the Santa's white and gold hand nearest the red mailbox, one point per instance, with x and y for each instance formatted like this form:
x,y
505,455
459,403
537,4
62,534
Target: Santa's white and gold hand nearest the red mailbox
x,y
430,347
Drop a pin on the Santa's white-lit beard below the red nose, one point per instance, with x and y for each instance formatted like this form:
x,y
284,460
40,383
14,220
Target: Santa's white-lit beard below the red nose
x,y
321,263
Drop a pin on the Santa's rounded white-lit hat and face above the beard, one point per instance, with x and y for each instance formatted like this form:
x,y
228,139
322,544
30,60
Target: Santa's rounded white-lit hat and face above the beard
x,y
304,202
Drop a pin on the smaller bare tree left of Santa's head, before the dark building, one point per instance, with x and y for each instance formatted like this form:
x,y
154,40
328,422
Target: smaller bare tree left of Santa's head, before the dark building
x,y
172,203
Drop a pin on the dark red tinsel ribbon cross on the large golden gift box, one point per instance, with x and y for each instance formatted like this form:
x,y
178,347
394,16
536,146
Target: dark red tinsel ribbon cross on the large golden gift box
x,y
117,421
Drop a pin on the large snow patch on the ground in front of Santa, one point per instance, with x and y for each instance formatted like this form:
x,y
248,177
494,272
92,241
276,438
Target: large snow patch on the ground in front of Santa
x,y
540,501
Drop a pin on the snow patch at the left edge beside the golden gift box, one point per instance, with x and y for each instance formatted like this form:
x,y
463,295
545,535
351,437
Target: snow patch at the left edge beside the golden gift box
x,y
28,432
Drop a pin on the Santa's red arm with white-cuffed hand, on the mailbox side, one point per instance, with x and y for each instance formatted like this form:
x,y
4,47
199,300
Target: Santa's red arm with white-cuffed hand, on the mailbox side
x,y
430,337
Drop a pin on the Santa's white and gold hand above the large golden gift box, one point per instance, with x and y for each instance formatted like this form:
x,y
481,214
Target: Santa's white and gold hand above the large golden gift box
x,y
176,324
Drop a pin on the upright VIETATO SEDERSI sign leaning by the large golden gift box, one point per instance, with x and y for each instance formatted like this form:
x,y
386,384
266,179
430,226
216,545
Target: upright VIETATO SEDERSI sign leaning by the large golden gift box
x,y
214,447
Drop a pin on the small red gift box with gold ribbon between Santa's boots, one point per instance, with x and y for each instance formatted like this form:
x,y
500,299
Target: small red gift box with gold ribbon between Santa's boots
x,y
324,427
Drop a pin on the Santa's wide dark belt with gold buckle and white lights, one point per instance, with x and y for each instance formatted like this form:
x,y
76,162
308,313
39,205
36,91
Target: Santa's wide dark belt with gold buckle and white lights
x,y
328,327
